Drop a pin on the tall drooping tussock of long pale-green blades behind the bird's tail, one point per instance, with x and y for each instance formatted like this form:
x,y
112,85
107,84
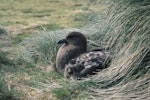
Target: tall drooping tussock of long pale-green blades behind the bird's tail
x,y
127,33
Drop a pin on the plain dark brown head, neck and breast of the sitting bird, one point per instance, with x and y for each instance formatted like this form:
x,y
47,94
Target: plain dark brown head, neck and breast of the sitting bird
x,y
73,45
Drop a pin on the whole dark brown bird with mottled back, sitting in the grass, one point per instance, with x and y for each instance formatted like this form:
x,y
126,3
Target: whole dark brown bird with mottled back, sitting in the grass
x,y
74,60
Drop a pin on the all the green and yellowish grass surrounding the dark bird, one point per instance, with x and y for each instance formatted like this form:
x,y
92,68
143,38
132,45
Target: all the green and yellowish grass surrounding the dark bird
x,y
27,60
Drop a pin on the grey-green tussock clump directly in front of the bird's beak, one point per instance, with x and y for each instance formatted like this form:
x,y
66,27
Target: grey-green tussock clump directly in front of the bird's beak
x,y
37,49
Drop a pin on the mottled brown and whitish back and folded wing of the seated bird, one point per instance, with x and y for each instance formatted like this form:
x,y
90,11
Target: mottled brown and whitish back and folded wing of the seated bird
x,y
87,63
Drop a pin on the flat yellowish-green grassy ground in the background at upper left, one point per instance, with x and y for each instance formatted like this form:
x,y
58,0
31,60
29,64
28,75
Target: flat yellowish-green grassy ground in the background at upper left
x,y
21,16
